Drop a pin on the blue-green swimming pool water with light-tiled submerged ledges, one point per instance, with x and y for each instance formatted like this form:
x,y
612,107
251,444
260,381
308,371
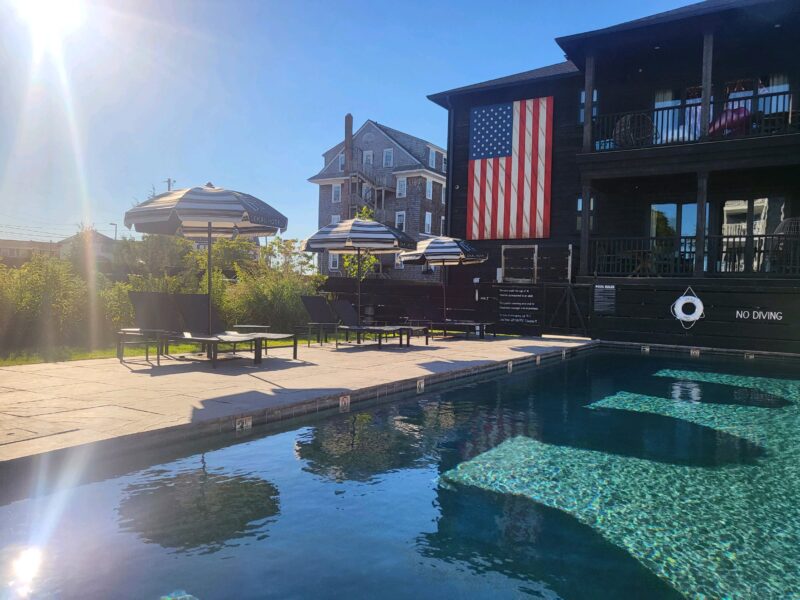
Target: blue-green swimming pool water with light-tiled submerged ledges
x,y
610,475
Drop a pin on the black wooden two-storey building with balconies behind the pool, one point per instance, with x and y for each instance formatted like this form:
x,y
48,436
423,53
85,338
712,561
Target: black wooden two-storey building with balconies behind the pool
x,y
679,176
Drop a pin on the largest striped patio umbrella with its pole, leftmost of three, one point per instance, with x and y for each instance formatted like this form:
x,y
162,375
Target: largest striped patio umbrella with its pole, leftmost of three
x,y
206,211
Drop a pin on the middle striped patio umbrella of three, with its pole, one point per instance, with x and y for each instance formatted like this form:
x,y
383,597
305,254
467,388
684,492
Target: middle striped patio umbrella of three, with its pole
x,y
357,236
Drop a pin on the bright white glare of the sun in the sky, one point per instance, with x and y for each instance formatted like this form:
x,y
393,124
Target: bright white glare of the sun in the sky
x,y
50,21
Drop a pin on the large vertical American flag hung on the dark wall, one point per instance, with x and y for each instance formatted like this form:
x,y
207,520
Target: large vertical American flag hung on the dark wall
x,y
508,195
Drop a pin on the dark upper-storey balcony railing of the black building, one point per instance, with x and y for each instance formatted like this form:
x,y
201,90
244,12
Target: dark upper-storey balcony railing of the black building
x,y
743,114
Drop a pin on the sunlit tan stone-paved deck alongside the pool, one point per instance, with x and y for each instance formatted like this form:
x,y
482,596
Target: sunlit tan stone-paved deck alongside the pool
x,y
55,406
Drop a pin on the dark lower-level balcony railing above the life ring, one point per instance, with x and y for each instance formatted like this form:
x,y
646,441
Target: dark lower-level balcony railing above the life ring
x,y
725,255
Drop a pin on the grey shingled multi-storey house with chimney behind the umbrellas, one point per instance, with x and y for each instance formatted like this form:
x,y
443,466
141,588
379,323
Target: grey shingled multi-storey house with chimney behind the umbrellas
x,y
399,176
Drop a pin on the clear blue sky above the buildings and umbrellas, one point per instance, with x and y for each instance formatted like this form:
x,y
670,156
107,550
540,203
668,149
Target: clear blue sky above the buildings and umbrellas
x,y
244,94
